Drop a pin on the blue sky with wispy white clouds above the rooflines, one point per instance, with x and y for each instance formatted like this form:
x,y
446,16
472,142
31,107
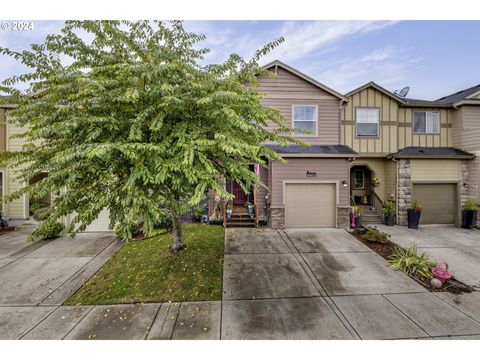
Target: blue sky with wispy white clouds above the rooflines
x,y
434,58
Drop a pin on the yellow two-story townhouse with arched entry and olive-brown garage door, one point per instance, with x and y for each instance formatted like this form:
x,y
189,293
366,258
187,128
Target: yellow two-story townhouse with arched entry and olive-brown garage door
x,y
407,150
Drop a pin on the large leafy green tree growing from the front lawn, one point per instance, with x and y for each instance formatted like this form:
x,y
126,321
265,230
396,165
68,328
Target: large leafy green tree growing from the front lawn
x,y
135,123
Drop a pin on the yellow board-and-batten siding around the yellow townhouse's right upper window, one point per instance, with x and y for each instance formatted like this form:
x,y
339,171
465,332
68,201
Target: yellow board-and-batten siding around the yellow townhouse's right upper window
x,y
406,136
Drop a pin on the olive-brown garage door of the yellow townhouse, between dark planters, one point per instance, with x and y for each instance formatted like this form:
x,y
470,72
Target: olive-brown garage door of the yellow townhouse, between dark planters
x,y
438,202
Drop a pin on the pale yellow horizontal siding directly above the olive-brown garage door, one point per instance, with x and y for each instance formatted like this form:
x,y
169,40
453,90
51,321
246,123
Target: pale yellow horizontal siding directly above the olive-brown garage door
x,y
435,170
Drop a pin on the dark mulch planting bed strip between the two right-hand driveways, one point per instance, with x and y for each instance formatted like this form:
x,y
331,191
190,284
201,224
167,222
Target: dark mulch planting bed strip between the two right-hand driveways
x,y
379,242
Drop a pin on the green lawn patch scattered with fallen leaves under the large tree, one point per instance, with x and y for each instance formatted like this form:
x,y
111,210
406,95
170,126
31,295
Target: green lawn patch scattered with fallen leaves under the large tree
x,y
146,271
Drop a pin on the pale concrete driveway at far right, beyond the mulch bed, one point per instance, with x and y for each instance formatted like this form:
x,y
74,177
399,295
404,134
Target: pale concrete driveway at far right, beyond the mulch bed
x,y
460,248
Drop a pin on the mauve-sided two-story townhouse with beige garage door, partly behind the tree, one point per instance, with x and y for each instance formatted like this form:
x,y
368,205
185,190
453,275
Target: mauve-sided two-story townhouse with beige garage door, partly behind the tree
x,y
312,188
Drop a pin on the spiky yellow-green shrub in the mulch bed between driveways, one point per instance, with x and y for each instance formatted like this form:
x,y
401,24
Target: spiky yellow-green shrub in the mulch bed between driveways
x,y
411,263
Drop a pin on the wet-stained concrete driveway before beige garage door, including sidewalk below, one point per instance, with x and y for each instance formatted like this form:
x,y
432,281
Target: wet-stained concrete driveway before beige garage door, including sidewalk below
x,y
324,284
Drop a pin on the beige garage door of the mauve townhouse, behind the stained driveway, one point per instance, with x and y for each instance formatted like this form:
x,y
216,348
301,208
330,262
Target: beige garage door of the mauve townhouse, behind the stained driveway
x,y
310,205
